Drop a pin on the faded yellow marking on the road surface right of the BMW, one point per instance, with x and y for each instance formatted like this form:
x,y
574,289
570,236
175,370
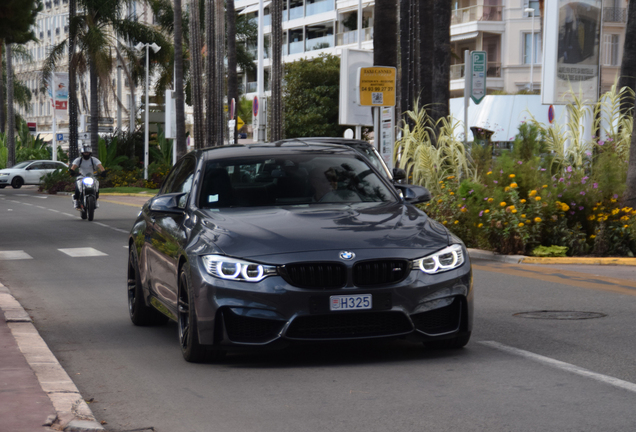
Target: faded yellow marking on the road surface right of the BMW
x,y
564,277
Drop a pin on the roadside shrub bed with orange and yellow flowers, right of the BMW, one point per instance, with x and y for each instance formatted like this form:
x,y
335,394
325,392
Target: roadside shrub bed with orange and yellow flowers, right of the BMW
x,y
529,200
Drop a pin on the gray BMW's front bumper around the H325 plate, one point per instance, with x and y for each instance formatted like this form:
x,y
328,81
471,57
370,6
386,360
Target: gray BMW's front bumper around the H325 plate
x,y
272,312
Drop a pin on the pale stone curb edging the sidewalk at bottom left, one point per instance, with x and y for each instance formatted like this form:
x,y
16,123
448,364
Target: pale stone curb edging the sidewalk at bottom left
x,y
73,413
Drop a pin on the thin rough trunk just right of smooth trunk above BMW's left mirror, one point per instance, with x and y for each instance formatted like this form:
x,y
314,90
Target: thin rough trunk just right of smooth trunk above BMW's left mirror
x,y
196,75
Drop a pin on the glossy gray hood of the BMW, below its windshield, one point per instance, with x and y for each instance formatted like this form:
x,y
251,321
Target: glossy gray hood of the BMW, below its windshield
x,y
283,230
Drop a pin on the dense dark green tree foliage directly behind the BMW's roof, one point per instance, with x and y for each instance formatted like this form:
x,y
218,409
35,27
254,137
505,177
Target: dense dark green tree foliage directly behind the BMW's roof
x,y
311,95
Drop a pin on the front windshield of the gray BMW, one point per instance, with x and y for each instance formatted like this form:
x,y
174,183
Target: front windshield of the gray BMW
x,y
293,179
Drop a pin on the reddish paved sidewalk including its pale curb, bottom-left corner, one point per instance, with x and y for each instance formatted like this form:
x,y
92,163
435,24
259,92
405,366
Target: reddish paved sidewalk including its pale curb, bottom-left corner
x,y
36,394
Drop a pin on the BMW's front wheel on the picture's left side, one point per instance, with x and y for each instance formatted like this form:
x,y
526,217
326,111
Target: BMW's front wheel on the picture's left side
x,y
191,349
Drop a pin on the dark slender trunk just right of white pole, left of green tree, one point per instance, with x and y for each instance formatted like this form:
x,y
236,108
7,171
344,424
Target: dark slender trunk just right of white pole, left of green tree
x,y
276,76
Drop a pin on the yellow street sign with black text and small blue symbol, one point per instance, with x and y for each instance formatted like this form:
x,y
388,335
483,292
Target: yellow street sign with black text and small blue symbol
x,y
377,86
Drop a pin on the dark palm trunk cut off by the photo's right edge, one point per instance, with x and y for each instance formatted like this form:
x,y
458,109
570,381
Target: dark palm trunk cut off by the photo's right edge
x,y
628,69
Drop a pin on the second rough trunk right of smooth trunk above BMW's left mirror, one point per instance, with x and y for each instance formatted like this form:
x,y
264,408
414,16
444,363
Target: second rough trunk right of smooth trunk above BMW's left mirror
x,y
210,73
